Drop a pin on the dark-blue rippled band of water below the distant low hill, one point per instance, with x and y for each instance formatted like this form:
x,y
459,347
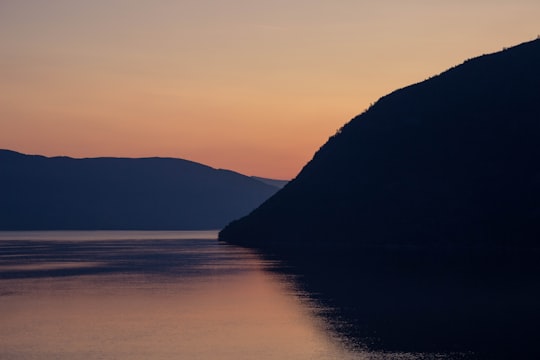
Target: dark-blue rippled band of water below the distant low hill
x,y
168,257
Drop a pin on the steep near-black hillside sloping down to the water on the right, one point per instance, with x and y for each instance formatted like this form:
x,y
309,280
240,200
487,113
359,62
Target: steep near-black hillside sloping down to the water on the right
x,y
451,161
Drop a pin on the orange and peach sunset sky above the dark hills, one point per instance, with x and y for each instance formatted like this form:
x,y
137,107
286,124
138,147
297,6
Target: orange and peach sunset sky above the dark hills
x,y
248,85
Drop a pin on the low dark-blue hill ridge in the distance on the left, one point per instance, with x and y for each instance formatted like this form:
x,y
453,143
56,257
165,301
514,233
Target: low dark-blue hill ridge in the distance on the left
x,y
38,192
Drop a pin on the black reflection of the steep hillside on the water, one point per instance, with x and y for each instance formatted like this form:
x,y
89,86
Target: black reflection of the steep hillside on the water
x,y
474,304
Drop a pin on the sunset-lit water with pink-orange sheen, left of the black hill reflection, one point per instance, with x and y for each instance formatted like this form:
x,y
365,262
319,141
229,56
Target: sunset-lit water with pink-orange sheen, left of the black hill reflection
x,y
107,296
